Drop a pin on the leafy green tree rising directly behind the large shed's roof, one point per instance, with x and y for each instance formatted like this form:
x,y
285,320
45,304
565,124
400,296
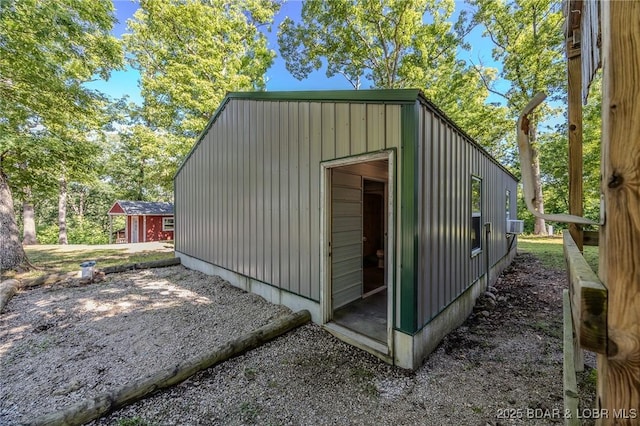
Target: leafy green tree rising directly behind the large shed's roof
x,y
394,44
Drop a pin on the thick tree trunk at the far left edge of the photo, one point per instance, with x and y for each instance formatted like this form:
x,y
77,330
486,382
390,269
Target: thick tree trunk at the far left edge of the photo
x,y
12,254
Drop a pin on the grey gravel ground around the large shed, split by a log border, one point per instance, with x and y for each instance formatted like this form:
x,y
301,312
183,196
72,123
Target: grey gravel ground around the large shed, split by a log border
x,y
502,366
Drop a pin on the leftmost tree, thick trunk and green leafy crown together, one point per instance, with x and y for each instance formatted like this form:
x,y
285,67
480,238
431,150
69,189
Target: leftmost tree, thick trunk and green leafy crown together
x,y
47,51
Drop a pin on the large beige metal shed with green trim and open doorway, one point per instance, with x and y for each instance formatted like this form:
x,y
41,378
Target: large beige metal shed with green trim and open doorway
x,y
371,209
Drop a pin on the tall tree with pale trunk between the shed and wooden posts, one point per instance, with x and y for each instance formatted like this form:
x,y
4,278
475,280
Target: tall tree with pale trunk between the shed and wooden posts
x,y
527,35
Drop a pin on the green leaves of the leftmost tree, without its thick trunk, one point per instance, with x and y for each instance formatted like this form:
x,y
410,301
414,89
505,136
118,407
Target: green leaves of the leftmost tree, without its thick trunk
x,y
48,50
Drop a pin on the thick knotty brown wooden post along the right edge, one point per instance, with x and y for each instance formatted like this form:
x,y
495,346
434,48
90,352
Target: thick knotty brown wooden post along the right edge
x,y
619,369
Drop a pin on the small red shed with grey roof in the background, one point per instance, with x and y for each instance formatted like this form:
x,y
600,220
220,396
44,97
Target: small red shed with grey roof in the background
x,y
145,221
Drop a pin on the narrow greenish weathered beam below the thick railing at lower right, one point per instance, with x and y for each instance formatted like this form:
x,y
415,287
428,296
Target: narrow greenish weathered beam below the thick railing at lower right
x,y
570,384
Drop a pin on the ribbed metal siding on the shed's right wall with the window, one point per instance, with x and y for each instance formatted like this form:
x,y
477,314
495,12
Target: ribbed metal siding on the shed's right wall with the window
x,y
447,161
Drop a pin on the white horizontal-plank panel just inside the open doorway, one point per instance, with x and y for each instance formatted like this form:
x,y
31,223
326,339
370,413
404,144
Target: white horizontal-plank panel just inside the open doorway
x,y
346,238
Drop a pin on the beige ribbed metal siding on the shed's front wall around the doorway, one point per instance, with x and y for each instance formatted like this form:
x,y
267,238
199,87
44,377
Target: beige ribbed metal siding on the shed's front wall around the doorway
x,y
248,197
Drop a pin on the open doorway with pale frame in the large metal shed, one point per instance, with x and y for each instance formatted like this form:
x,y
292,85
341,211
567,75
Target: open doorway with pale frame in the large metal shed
x,y
357,234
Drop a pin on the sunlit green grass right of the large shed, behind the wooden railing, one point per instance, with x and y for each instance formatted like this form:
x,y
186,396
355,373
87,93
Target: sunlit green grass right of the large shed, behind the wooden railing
x,y
549,251
